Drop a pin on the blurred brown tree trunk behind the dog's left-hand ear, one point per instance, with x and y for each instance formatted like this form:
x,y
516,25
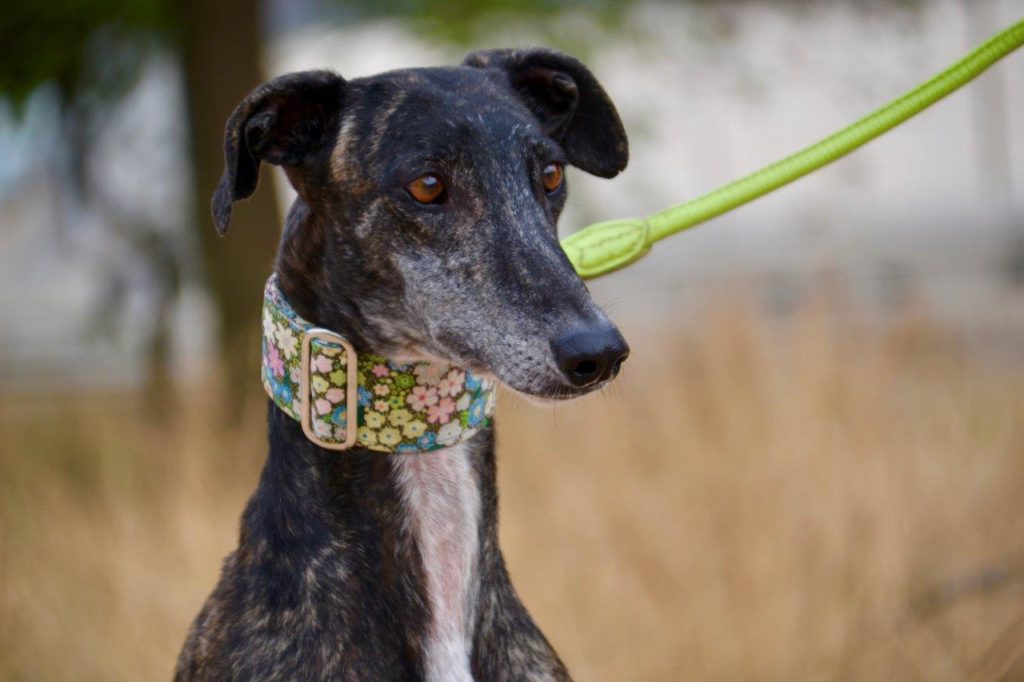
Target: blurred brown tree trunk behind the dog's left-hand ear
x,y
222,48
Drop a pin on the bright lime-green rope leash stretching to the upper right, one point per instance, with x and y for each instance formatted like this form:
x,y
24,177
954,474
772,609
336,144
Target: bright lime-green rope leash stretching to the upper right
x,y
606,247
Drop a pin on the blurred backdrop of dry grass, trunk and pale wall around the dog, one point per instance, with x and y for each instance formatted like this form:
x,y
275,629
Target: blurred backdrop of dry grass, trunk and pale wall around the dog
x,y
813,468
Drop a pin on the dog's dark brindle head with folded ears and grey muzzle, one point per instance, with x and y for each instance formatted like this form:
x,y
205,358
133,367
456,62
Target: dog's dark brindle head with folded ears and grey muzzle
x,y
429,199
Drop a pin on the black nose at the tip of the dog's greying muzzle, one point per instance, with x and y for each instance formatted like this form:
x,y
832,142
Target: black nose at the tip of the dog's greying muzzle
x,y
590,356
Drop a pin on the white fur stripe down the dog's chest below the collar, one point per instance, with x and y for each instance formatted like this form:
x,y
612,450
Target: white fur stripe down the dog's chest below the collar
x,y
441,493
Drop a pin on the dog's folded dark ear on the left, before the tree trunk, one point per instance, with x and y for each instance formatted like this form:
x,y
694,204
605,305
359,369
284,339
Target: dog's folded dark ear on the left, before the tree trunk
x,y
282,122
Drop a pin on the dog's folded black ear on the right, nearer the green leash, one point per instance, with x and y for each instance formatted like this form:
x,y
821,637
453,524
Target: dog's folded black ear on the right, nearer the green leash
x,y
571,105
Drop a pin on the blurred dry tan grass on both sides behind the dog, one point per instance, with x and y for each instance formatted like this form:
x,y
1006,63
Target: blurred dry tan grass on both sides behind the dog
x,y
751,502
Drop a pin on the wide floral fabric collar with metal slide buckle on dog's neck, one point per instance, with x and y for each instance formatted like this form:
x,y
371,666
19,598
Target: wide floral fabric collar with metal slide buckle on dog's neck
x,y
314,375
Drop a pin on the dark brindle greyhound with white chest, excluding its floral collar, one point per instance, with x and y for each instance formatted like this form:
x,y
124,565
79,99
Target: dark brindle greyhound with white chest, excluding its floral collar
x,y
424,228
